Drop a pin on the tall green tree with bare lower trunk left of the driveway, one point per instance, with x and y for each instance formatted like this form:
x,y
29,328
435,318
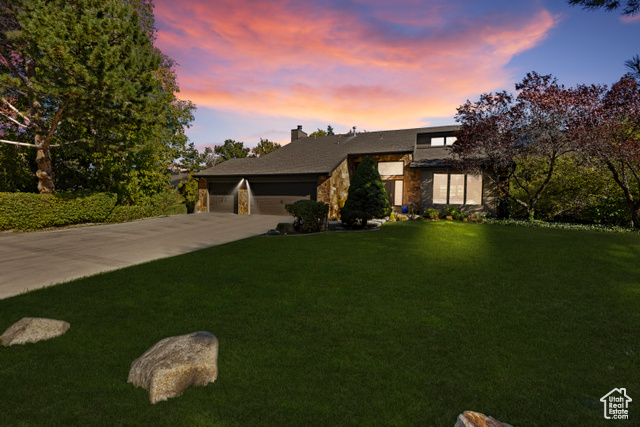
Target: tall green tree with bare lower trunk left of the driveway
x,y
80,69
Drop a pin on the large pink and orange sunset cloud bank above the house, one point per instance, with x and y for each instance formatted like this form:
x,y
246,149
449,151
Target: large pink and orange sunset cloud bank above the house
x,y
374,63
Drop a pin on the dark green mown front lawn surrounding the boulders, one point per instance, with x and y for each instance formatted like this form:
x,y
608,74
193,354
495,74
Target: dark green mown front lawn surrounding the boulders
x,y
409,325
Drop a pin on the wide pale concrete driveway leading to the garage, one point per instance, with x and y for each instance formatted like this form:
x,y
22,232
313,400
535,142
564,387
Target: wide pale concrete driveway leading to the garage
x,y
38,259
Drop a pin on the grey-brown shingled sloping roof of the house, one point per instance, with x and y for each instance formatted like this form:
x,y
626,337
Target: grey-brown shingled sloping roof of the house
x,y
322,154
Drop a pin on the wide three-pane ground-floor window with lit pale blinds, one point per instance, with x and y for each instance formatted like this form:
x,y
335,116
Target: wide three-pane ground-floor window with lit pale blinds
x,y
457,189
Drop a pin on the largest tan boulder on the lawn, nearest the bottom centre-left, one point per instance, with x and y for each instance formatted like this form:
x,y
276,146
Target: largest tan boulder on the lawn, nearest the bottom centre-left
x,y
175,363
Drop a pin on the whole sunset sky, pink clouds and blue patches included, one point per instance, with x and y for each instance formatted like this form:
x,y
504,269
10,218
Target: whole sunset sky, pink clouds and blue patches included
x,y
259,68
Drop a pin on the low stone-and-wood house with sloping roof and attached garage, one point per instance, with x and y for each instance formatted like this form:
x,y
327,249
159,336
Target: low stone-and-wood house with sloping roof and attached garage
x,y
414,165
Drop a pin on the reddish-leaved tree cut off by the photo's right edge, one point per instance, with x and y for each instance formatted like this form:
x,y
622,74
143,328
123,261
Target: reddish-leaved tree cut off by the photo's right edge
x,y
610,134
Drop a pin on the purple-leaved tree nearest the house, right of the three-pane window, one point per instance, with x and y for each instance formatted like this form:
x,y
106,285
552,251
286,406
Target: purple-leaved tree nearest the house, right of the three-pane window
x,y
518,139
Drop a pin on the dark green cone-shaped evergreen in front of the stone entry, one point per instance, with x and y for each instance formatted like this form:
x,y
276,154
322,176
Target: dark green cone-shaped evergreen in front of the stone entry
x,y
367,197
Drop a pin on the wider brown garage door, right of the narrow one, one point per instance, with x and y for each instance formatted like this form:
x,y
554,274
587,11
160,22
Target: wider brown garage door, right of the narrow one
x,y
270,198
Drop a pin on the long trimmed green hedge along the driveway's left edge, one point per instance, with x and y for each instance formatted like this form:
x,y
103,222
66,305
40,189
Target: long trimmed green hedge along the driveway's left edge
x,y
30,211
